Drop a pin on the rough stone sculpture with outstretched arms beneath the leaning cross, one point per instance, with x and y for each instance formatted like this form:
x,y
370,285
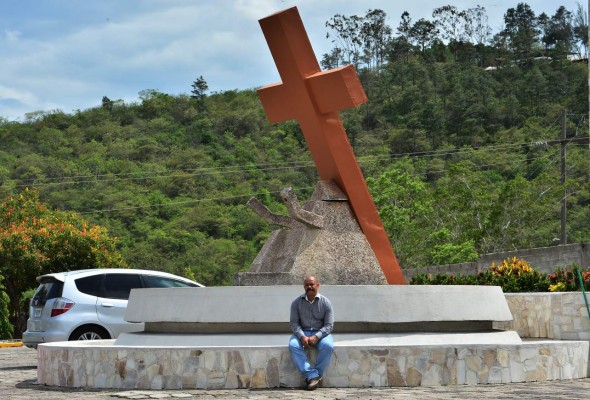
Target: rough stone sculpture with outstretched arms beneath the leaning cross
x,y
320,238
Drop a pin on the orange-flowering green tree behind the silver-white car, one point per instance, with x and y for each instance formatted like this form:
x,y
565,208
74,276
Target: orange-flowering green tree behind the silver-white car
x,y
35,240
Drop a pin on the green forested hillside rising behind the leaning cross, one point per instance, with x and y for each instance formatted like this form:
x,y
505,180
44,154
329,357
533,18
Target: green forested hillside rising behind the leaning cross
x,y
457,142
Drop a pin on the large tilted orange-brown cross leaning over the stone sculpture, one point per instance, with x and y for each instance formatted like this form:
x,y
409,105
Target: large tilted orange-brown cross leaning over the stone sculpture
x,y
313,98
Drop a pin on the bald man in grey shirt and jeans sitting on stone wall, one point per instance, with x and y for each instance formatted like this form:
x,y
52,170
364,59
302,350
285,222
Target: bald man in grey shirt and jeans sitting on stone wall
x,y
312,319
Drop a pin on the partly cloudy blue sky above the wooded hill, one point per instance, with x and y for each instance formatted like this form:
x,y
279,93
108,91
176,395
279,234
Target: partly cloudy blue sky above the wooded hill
x,y
67,54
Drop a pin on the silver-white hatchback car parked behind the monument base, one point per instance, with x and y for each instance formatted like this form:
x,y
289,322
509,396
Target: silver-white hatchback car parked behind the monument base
x,y
89,304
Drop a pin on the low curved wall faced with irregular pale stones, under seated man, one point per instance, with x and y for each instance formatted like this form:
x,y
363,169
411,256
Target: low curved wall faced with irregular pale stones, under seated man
x,y
108,366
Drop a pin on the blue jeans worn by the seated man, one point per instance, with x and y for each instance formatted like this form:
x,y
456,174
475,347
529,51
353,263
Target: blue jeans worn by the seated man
x,y
325,348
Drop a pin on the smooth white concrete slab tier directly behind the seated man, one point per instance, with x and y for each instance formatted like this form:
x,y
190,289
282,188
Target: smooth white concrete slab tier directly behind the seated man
x,y
378,308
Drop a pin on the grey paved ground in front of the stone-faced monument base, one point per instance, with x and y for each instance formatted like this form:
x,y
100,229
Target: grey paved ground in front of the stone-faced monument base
x,y
18,376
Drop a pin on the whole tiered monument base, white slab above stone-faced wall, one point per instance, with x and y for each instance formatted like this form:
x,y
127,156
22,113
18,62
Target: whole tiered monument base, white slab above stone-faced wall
x,y
236,337
